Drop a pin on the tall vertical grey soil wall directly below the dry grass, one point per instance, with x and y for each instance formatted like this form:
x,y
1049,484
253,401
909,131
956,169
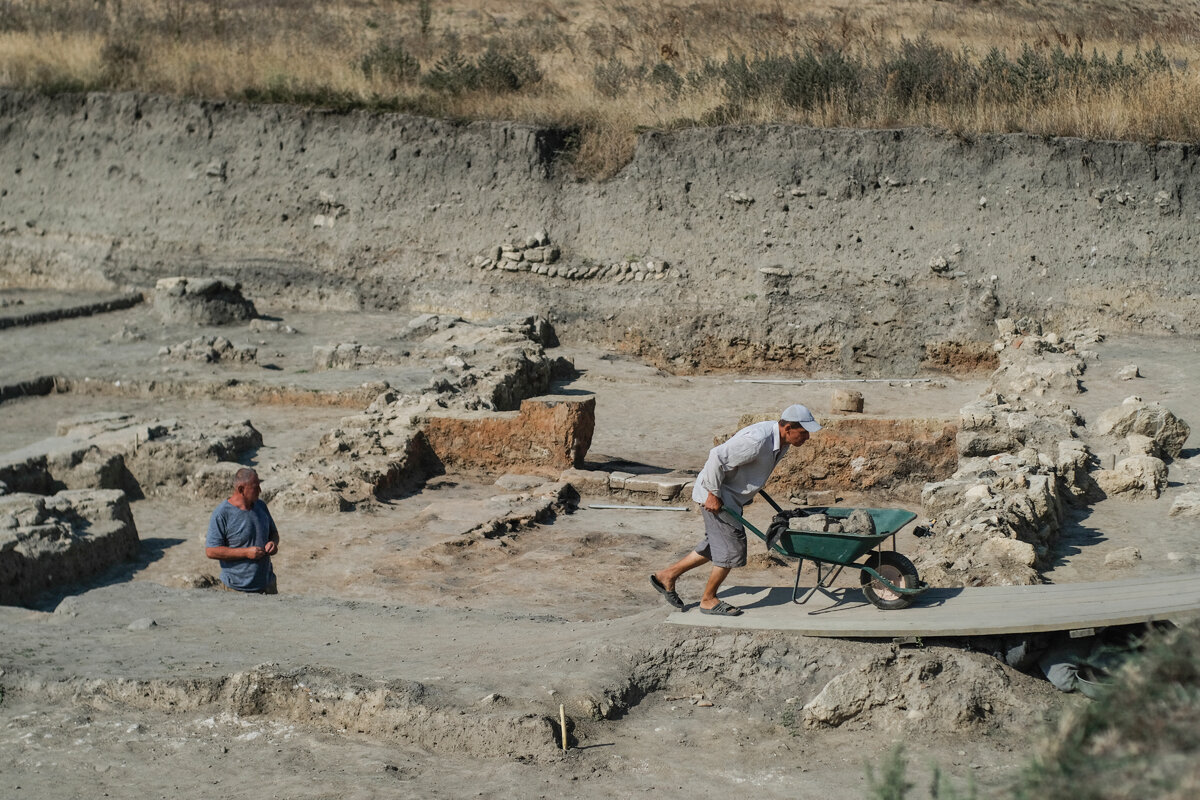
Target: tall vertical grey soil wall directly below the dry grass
x,y
850,251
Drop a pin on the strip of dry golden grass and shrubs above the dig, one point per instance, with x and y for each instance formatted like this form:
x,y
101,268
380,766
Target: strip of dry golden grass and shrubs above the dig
x,y
609,69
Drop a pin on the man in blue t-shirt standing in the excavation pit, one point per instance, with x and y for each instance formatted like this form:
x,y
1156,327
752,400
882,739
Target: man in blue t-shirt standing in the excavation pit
x,y
243,537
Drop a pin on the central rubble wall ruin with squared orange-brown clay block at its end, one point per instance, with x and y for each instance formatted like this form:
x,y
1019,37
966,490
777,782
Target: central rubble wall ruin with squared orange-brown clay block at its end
x,y
484,369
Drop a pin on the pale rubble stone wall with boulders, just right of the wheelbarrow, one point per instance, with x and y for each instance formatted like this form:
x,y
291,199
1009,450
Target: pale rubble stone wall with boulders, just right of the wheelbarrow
x,y
1024,454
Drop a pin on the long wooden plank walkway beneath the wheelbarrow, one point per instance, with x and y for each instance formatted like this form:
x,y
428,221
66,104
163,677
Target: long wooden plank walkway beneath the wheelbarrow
x,y
959,612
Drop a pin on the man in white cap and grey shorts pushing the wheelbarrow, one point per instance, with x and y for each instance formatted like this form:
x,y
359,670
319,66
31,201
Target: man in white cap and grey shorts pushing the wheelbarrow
x,y
735,472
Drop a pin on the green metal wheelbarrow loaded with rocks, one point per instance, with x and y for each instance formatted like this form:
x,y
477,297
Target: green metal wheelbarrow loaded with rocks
x,y
889,580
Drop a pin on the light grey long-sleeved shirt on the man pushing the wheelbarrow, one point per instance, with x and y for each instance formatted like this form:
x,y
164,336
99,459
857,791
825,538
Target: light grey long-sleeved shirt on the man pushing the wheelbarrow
x,y
740,467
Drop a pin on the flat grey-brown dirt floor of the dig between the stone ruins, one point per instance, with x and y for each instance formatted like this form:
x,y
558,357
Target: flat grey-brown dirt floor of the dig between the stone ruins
x,y
471,646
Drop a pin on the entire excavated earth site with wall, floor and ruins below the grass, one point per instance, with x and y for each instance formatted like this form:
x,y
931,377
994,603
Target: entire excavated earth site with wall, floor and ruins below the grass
x,y
445,356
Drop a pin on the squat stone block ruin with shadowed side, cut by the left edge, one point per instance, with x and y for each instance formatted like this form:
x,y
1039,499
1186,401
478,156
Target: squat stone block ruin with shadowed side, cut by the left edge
x,y
52,542
